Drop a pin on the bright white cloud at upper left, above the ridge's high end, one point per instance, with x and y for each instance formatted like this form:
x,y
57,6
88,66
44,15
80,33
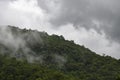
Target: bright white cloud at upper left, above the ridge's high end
x,y
23,13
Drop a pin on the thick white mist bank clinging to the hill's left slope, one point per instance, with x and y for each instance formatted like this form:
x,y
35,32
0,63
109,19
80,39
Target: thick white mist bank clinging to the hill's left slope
x,y
15,44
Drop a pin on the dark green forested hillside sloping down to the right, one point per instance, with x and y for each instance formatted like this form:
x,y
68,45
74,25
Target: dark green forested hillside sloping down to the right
x,y
51,57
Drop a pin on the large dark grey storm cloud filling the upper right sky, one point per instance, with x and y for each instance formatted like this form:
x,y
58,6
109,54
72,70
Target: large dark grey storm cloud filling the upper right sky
x,y
83,12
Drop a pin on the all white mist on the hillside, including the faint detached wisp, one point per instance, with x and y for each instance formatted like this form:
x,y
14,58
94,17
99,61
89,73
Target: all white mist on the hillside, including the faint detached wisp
x,y
17,43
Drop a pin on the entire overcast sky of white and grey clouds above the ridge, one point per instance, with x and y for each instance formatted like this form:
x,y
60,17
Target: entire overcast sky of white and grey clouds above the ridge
x,y
92,23
